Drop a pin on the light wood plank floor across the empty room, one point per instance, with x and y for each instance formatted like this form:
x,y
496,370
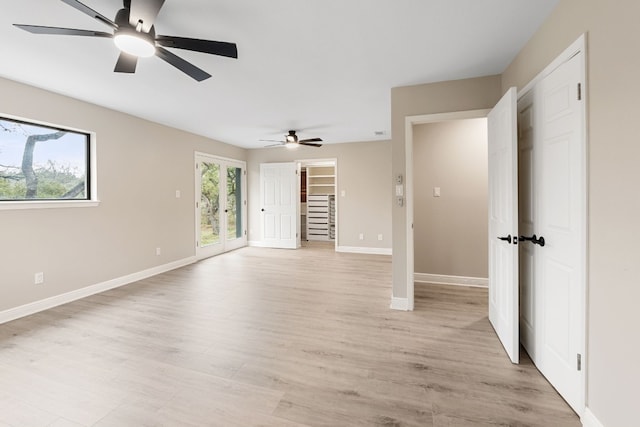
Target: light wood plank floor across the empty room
x,y
264,337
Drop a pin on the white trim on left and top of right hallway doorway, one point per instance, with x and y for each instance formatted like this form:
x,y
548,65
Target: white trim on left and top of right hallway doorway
x,y
410,121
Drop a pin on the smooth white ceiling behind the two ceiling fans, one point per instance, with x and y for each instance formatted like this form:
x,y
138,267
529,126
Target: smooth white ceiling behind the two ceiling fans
x,y
323,67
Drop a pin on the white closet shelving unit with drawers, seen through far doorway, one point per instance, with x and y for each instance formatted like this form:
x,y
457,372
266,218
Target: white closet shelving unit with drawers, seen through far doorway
x,y
321,198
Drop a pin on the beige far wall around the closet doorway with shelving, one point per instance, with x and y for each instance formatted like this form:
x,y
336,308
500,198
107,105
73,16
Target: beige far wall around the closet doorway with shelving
x,y
364,173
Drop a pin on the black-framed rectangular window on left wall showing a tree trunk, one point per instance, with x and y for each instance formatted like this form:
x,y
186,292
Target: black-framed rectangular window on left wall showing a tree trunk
x,y
41,163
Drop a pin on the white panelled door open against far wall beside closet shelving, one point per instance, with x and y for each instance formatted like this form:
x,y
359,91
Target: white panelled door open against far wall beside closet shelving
x,y
279,196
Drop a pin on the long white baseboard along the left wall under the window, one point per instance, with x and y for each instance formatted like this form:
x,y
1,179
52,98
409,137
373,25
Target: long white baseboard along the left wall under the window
x,y
45,304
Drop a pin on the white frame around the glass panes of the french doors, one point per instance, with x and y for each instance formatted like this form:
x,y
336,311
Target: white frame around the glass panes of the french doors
x,y
223,162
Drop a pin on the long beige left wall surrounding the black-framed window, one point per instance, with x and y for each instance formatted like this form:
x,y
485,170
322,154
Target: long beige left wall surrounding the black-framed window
x,y
140,166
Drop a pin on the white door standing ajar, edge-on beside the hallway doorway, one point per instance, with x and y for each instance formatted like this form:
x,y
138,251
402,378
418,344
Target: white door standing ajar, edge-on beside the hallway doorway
x,y
503,223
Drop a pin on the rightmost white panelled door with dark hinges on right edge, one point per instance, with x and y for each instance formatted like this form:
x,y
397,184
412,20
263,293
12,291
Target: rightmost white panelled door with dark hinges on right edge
x,y
560,171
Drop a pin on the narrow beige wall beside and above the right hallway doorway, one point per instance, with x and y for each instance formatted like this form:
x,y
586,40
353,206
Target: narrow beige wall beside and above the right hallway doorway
x,y
459,95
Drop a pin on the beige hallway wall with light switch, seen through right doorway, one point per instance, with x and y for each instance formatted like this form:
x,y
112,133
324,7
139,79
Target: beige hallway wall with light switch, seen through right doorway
x,y
450,231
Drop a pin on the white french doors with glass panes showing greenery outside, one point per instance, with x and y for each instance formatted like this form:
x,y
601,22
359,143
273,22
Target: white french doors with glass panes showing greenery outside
x,y
220,205
